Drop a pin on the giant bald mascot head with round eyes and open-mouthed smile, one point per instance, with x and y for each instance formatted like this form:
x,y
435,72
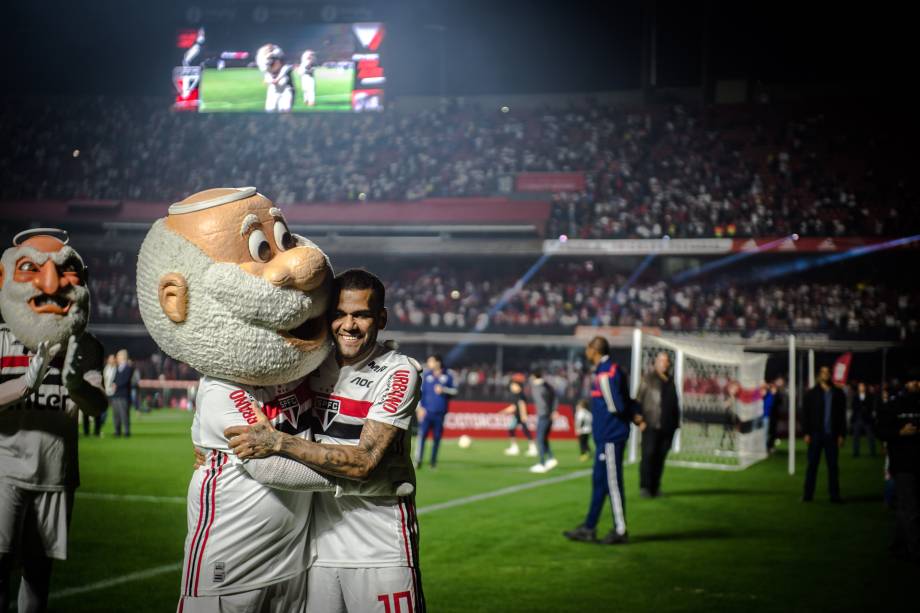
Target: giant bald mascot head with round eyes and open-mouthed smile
x,y
224,286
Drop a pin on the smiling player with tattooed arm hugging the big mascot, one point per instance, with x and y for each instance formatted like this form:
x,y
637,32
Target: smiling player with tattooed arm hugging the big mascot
x,y
363,400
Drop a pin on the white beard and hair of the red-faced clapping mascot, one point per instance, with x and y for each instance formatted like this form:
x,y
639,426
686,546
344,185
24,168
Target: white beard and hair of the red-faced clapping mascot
x,y
32,328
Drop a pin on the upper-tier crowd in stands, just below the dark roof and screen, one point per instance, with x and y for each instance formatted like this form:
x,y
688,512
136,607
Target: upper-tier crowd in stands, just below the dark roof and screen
x,y
756,171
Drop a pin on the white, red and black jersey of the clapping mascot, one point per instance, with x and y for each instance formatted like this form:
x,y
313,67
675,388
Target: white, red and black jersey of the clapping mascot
x,y
38,435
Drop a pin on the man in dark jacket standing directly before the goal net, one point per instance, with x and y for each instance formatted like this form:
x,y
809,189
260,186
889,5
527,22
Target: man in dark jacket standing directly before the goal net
x,y
658,397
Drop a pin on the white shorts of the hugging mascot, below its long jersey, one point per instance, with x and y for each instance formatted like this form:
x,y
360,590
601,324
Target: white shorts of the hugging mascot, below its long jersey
x,y
289,596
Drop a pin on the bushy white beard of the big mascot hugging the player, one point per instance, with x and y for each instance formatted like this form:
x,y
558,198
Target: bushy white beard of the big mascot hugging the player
x,y
233,317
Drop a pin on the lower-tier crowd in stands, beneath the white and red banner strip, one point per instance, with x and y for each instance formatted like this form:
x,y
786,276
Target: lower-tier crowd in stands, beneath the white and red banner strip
x,y
562,296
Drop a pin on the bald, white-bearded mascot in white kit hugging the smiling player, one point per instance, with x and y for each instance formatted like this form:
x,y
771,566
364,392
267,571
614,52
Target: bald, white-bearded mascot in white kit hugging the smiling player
x,y
224,286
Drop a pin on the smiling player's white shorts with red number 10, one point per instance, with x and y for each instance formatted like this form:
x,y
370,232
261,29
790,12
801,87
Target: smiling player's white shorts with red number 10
x,y
395,589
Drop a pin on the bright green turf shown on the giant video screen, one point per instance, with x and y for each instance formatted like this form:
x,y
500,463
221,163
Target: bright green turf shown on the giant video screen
x,y
242,89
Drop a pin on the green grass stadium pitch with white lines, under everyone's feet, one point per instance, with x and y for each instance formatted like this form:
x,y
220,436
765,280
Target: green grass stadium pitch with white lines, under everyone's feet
x,y
715,541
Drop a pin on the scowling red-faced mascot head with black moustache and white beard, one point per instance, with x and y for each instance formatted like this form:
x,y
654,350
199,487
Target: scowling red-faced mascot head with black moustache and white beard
x,y
43,292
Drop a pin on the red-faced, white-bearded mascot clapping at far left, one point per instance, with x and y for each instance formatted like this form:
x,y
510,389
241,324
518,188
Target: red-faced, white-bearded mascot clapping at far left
x,y
50,369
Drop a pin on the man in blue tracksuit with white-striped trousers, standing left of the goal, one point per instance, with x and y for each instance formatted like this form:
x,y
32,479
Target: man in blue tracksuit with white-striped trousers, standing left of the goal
x,y
612,410
